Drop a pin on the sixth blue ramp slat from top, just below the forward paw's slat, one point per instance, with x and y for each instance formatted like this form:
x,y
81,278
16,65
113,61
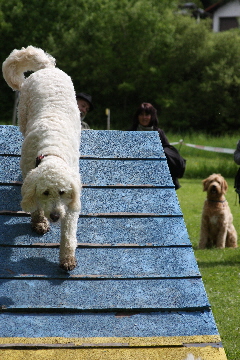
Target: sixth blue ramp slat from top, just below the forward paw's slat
x,y
103,294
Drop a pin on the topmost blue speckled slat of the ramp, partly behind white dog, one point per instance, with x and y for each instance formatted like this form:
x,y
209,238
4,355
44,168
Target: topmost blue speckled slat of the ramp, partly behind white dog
x,y
98,143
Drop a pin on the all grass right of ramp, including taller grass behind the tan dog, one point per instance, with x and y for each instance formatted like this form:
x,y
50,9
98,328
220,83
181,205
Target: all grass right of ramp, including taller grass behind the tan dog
x,y
220,269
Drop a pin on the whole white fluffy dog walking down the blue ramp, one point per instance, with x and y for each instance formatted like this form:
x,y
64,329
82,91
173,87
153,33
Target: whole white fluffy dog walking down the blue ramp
x,y
49,120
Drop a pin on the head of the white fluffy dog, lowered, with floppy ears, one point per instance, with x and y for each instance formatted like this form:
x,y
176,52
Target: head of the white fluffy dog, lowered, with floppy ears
x,y
51,190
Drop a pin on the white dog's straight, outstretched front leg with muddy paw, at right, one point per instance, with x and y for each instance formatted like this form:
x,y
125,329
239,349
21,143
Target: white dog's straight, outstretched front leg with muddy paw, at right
x,y
68,241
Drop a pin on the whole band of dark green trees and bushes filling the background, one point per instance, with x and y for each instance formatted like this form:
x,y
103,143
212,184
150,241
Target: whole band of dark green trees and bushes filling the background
x,y
129,51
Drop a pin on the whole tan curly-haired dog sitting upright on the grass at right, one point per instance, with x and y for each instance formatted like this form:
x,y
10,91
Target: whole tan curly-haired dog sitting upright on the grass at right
x,y
217,228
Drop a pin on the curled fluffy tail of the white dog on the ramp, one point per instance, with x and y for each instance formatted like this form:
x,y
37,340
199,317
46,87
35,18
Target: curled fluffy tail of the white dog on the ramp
x,y
26,59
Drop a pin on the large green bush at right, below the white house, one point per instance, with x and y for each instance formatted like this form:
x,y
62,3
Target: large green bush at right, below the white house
x,y
202,79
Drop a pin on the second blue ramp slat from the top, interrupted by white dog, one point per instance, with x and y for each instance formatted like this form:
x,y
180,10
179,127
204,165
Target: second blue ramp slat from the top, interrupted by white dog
x,y
103,172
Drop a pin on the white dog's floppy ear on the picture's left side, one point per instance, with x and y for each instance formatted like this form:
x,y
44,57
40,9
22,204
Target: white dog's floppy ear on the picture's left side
x,y
28,191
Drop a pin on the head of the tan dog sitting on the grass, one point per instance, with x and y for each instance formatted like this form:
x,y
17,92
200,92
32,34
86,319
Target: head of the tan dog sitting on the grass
x,y
215,185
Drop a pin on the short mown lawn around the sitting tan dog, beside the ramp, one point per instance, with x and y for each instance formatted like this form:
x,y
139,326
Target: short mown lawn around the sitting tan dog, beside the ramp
x,y
220,269
